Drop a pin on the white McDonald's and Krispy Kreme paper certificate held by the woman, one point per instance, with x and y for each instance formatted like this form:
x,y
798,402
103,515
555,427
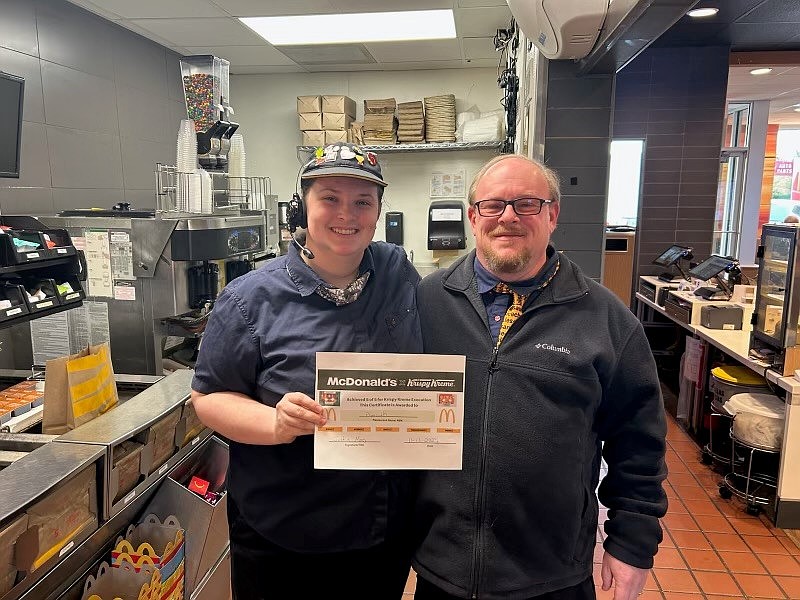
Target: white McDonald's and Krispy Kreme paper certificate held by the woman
x,y
389,411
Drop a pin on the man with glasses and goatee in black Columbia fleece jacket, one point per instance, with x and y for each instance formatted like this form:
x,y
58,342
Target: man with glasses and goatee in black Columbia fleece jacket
x,y
544,391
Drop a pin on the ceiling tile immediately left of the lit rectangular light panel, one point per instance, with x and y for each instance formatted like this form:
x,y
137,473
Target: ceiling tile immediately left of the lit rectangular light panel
x,y
197,32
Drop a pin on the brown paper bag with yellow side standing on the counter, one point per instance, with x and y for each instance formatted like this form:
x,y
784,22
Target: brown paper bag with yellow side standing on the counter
x,y
77,388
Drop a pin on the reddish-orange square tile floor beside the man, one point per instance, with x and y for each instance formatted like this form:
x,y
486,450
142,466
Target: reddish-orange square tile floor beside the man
x,y
712,548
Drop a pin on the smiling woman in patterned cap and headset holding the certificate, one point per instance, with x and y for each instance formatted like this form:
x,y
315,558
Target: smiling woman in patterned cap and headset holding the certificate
x,y
296,532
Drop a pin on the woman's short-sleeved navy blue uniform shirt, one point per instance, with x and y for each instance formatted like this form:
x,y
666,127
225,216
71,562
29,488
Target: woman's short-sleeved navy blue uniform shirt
x,y
261,341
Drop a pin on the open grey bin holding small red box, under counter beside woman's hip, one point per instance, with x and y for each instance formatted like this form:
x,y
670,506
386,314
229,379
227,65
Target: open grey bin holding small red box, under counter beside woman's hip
x,y
206,524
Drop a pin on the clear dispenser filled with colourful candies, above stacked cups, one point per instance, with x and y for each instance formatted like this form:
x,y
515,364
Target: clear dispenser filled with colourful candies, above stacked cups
x,y
206,81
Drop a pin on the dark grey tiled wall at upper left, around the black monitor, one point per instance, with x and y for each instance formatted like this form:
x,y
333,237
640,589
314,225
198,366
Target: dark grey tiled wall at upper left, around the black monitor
x,y
95,85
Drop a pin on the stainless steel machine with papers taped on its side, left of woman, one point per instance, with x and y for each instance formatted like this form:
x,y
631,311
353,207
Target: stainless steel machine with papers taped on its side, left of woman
x,y
158,276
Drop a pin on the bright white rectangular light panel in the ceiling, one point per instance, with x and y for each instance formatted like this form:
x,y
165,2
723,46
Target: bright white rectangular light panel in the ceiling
x,y
357,27
